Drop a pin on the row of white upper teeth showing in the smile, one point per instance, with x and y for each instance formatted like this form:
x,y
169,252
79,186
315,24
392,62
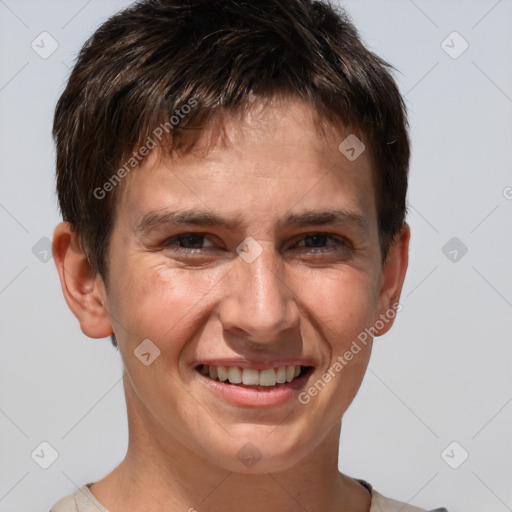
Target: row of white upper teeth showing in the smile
x,y
252,377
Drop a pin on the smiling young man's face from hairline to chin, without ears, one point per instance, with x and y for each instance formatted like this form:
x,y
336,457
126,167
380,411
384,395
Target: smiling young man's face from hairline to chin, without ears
x,y
258,253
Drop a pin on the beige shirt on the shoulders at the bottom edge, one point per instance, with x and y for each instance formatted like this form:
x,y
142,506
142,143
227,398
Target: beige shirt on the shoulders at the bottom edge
x,y
84,501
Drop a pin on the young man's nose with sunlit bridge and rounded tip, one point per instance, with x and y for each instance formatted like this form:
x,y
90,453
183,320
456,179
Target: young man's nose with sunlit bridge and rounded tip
x,y
259,305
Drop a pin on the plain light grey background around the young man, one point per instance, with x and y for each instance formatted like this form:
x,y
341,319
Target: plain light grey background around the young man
x,y
442,374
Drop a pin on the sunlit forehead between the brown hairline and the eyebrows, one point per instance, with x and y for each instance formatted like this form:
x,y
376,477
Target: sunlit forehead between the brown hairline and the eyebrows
x,y
277,159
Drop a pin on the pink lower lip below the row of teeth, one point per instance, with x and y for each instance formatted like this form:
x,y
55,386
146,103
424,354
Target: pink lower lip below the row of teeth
x,y
254,397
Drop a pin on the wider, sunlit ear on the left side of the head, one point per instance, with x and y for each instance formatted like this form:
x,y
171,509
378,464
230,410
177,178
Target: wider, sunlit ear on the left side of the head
x,y
83,288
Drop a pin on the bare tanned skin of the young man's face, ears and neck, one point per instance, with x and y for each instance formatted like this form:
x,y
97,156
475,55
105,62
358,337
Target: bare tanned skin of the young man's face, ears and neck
x,y
209,302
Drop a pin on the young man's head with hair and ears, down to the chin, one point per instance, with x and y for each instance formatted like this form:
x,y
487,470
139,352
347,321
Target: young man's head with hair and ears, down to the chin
x,y
239,112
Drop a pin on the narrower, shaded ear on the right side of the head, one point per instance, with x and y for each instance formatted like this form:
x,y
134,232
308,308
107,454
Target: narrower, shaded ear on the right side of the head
x,y
392,280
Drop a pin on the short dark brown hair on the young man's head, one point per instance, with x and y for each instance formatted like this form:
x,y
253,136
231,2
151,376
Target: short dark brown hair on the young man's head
x,y
144,64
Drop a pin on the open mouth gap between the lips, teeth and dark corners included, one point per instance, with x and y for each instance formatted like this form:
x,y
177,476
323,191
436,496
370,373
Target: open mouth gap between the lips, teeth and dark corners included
x,y
256,379
